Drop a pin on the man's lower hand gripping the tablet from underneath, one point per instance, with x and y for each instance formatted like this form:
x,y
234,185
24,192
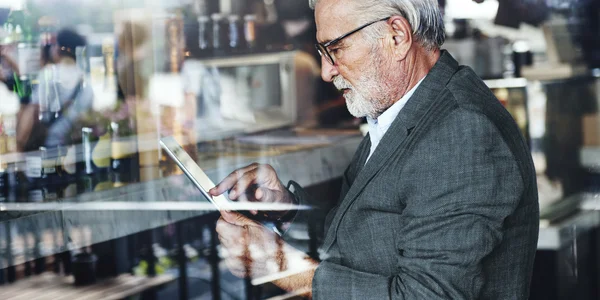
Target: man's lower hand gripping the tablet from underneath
x,y
254,251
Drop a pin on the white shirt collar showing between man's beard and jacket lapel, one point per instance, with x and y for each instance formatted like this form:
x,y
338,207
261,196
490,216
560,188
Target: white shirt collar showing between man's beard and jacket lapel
x,y
378,127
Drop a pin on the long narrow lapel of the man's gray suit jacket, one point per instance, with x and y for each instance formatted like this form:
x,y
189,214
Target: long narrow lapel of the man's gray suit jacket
x,y
417,108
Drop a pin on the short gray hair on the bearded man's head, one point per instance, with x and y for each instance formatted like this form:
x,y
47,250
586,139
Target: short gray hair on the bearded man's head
x,y
424,16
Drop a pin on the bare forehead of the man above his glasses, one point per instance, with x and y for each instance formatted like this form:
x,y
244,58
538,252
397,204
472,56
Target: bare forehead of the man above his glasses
x,y
334,18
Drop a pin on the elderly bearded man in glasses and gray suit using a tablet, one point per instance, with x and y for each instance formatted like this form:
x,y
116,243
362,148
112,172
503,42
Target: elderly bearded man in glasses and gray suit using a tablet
x,y
440,200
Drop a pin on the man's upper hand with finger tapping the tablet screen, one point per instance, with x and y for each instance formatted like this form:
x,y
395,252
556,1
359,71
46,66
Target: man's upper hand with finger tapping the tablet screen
x,y
254,183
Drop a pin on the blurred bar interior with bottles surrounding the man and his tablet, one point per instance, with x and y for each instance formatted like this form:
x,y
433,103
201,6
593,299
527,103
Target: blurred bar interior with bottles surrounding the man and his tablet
x,y
92,208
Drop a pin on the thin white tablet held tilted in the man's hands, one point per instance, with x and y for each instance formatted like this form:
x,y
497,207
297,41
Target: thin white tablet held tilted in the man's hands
x,y
193,171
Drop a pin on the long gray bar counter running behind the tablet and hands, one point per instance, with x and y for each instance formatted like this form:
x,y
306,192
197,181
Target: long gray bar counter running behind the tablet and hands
x,y
34,230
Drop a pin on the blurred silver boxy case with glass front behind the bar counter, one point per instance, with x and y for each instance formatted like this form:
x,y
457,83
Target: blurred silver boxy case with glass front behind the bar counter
x,y
243,94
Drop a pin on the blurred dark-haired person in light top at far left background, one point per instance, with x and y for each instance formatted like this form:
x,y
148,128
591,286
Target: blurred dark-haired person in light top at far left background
x,y
61,95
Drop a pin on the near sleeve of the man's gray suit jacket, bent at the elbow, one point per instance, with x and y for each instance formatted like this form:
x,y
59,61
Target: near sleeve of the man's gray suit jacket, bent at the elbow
x,y
459,184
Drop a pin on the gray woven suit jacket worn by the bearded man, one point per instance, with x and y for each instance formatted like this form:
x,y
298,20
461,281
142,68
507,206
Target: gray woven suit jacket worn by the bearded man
x,y
446,208
